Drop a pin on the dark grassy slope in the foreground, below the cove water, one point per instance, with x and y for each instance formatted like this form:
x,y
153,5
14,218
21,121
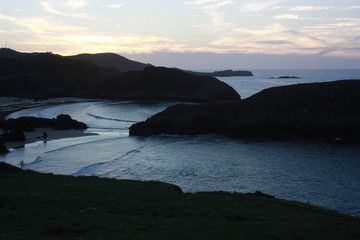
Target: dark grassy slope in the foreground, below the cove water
x,y
46,206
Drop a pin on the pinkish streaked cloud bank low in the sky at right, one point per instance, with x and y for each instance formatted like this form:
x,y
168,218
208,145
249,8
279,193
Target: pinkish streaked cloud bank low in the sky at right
x,y
279,39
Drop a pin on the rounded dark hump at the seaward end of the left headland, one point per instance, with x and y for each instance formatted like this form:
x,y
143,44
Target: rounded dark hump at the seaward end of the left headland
x,y
159,83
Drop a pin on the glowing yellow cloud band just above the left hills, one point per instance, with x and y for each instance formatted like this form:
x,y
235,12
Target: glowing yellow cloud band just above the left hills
x,y
71,44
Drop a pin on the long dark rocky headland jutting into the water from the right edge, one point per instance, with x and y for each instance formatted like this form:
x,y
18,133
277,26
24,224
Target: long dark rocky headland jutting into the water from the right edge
x,y
316,110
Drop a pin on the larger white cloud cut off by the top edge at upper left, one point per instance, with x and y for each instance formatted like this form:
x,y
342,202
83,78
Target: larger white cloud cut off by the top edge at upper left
x,y
66,8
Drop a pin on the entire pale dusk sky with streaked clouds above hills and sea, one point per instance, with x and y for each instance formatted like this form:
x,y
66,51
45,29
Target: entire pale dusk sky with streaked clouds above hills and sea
x,y
198,34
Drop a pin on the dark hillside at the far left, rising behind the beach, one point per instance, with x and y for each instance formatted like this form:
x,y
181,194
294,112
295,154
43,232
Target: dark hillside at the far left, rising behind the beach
x,y
43,75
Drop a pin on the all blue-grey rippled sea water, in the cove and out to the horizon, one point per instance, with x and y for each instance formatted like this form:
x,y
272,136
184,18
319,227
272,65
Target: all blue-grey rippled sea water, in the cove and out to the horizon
x,y
326,174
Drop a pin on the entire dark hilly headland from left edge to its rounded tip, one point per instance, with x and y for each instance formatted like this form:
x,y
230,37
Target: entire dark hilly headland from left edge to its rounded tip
x,y
47,75
